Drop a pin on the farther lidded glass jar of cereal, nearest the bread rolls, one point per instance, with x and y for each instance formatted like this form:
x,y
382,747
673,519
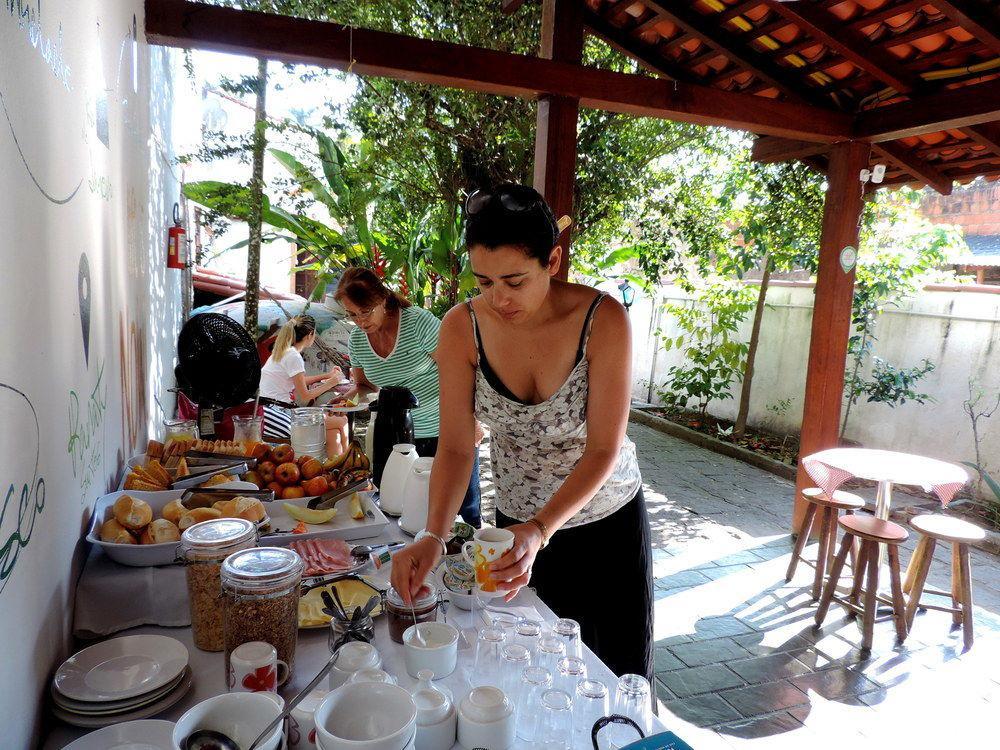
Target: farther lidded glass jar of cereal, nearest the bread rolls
x,y
203,548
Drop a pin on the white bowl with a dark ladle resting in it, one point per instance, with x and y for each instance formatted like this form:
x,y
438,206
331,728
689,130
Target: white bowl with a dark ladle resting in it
x,y
241,716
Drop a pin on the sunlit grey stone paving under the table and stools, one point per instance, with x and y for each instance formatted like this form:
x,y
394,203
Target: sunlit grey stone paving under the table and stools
x,y
737,660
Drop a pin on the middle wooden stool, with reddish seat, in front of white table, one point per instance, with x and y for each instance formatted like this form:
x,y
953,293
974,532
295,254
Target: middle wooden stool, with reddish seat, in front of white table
x,y
872,532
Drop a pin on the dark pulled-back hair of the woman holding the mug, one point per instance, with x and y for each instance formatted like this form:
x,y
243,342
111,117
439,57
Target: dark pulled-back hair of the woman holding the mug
x,y
514,215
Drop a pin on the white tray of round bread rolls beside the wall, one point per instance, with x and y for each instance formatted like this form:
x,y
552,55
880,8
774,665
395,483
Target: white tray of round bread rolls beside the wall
x,y
143,528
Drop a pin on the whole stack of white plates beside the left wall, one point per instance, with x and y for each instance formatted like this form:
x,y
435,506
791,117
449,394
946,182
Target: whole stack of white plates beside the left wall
x,y
122,679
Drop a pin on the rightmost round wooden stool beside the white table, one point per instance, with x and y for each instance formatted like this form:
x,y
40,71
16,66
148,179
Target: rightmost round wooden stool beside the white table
x,y
934,529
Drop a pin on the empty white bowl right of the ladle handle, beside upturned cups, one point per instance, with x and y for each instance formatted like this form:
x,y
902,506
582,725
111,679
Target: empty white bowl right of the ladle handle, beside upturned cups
x,y
366,716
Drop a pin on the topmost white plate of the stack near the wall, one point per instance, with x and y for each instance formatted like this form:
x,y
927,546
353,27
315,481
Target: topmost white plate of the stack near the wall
x,y
121,668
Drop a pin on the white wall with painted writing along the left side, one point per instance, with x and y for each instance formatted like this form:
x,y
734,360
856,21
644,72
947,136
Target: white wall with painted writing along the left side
x,y
85,173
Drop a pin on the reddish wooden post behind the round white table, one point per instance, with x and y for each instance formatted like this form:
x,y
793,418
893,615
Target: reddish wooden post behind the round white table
x,y
831,309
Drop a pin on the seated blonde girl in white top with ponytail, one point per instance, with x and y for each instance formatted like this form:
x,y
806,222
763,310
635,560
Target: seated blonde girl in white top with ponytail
x,y
283,378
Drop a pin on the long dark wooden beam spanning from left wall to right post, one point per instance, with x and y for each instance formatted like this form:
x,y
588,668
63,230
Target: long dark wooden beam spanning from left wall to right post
x,y
176,23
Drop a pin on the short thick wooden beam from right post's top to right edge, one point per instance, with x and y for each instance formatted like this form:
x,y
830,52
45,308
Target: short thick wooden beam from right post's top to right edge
x,y
943,110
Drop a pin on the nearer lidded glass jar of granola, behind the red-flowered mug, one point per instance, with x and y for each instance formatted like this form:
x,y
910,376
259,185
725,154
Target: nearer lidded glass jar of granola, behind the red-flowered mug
x,y
260,600
